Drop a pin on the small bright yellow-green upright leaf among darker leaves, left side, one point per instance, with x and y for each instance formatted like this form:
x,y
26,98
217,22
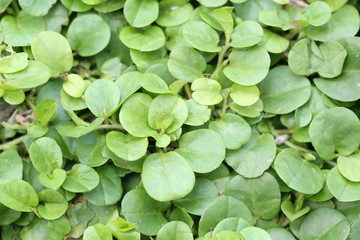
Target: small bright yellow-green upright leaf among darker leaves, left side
x,y
46,111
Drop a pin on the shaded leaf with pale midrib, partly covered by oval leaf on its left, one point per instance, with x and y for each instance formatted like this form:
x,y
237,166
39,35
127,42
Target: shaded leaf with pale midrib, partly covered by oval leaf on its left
x,y
109,189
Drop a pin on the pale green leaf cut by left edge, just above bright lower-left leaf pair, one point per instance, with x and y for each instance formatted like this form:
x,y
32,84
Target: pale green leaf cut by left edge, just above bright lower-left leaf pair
x,y
11,165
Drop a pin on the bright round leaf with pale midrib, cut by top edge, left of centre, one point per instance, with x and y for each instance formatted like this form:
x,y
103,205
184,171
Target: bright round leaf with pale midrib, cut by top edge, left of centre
x,y
140,13
